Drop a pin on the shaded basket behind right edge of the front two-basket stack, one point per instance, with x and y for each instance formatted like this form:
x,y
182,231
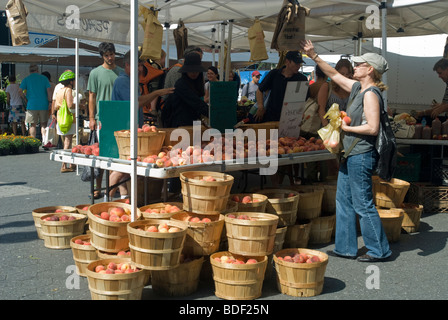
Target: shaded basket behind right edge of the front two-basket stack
x,y
282,204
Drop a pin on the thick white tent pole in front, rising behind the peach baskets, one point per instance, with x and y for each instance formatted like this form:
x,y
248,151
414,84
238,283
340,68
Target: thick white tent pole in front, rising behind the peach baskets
x,y
134,105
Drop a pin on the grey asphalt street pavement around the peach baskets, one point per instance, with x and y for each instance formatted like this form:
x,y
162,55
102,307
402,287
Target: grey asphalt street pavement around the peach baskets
x,y
30,271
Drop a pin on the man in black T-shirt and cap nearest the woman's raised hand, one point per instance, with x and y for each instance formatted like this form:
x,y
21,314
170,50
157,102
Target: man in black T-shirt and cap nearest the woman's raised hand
x,y
276,81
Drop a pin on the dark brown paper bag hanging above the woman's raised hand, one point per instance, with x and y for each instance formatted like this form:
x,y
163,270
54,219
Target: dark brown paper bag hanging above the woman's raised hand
x,y
290,28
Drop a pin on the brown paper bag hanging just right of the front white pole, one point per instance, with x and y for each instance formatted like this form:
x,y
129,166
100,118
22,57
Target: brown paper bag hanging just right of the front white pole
x,y
152,41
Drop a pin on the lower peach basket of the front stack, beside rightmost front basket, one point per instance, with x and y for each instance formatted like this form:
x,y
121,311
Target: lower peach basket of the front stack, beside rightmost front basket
x,y
238,281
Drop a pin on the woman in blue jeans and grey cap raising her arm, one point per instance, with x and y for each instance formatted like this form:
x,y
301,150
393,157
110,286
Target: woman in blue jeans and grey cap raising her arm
x,y
354,194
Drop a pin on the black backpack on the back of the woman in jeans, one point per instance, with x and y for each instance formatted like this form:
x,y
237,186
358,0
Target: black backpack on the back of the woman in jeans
x,y
386,145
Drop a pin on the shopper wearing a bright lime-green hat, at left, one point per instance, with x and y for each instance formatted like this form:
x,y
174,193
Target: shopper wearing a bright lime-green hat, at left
x,y
67,79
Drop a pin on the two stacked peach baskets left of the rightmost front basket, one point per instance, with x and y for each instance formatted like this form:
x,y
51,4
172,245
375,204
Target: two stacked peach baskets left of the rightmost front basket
x,y
251,236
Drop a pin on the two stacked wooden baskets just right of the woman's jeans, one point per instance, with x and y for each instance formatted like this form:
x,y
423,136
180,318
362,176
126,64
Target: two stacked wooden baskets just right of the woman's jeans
x,y
389,198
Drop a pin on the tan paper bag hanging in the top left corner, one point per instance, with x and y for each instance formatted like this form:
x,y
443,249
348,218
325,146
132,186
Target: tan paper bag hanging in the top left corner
x,y
16,13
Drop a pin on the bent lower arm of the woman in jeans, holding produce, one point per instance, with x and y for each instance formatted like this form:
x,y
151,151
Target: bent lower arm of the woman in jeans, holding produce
x,y
372,113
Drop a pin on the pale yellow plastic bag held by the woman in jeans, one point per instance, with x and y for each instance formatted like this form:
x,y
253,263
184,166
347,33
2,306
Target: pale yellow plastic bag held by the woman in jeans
x,y
330,134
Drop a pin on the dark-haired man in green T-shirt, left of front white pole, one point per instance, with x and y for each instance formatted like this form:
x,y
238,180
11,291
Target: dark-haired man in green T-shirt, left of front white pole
x,y
100,85
